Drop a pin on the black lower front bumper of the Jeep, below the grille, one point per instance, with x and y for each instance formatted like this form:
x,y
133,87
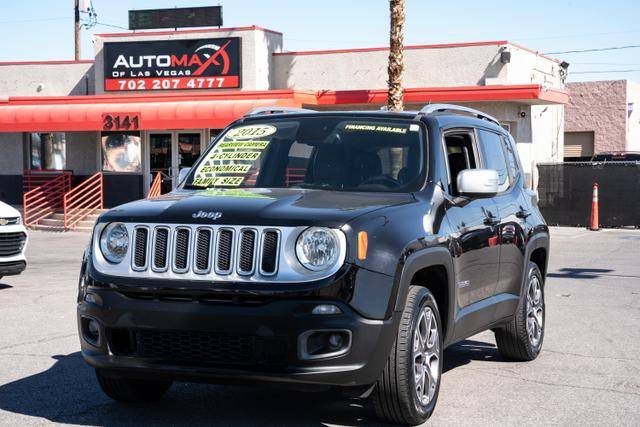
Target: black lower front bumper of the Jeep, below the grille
x,y
266,330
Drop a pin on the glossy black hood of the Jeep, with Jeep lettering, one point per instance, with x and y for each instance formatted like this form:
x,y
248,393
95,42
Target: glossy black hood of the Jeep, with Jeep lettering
x,y
255,206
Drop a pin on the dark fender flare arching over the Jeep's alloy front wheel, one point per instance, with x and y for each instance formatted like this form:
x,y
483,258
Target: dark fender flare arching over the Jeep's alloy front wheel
x,y
429,257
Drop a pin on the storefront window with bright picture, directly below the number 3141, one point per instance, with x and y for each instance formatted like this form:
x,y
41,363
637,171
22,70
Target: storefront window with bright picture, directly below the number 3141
x,y
121,152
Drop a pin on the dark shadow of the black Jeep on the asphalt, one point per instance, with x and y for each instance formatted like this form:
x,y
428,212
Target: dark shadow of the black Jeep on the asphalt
x,y
68,393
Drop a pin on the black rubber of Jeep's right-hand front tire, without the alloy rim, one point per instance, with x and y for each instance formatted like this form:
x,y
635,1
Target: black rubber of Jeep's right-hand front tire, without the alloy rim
x,y
395,398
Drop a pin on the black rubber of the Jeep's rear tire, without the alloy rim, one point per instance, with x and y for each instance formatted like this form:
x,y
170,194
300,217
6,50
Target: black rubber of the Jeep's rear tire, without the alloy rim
x,y
513,340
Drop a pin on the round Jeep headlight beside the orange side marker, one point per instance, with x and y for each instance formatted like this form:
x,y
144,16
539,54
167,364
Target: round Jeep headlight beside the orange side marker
x,y
317,248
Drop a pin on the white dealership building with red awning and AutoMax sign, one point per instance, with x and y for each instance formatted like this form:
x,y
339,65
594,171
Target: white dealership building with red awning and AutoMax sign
x,y
152,101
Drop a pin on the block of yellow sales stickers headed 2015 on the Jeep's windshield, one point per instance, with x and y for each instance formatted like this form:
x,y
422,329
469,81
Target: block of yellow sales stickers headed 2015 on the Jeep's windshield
x,y
235,159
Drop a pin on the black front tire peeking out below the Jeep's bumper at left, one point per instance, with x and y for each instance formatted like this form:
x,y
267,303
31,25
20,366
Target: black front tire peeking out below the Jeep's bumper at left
x,y
132,390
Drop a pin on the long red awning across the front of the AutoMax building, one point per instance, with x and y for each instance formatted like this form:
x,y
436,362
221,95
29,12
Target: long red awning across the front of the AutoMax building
x,y
217,110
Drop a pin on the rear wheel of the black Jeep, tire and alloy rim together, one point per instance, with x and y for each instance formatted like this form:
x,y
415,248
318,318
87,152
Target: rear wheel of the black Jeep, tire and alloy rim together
x,y
521,339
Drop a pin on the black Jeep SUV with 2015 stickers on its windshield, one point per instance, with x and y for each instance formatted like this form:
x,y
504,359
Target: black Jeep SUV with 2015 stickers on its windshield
x,y
332,249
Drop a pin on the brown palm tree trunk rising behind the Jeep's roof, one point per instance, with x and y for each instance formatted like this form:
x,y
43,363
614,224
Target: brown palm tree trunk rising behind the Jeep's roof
x,y
395,70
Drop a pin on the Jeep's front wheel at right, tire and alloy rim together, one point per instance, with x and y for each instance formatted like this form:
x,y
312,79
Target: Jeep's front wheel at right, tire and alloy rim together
x,y
407,390
